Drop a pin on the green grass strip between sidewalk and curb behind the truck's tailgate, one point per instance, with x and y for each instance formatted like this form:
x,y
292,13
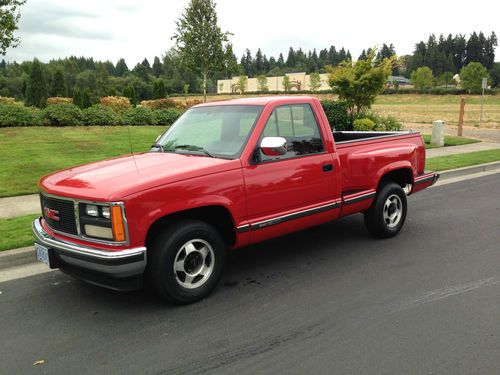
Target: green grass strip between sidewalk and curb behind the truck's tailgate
x,y
443,163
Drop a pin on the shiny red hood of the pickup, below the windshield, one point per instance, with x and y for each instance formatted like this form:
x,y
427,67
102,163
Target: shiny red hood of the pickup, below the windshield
x,y
114,179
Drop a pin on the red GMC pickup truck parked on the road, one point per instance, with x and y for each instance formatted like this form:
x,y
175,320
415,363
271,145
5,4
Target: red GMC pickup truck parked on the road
x,y
225,175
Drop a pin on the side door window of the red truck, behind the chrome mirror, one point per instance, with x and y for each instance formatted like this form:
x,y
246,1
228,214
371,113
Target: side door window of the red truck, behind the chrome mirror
x,y
297,124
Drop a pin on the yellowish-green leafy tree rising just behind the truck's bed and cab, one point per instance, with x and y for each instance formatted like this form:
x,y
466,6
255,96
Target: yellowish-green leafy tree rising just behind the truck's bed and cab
x,y
359,83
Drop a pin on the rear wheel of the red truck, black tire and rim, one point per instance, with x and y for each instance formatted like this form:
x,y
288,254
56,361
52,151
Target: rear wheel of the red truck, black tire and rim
x,y
387,214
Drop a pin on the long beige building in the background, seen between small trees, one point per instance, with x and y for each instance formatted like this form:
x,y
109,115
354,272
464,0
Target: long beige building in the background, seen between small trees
x,y
298,82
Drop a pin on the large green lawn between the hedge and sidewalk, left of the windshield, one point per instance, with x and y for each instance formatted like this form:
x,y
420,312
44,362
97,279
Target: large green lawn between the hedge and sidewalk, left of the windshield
x,y
27,153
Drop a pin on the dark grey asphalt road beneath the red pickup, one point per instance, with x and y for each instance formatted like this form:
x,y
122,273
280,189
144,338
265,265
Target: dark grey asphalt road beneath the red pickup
x,y
330,300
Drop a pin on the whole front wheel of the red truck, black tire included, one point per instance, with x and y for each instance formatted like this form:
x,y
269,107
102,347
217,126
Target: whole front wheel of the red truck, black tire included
x,y
170,246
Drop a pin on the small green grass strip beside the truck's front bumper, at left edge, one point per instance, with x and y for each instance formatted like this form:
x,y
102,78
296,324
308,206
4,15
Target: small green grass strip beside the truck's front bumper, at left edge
x,y
16,232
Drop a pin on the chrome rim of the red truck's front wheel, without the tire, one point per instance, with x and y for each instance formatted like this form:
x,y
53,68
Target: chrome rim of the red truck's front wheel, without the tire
x,y
194,263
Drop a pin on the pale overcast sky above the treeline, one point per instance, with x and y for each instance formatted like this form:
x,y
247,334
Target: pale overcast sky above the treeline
x,y
134,29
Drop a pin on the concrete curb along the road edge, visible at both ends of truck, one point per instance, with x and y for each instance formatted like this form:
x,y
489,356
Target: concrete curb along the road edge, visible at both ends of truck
x,y
26,255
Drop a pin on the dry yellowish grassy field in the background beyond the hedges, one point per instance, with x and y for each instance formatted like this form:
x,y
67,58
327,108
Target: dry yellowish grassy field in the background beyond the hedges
x,y
423,109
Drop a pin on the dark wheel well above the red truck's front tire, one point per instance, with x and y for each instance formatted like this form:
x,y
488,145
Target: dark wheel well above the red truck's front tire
x,y
217,216
